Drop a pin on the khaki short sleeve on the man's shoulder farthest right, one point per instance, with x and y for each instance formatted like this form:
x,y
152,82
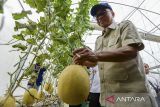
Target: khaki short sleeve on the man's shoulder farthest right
x,y
130,35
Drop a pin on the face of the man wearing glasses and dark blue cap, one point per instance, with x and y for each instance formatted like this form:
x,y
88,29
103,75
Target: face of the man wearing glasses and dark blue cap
x,y
104,17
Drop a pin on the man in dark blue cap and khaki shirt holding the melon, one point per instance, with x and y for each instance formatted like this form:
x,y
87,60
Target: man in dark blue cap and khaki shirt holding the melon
x,y
117,55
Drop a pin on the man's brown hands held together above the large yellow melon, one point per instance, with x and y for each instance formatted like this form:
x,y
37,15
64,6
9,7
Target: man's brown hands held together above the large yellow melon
x,y
84,56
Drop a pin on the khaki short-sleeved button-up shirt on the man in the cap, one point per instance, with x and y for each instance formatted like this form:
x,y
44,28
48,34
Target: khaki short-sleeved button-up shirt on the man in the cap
x,y
121,77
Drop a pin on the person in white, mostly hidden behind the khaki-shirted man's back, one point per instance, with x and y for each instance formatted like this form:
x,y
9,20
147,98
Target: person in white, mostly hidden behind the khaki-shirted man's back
x,y
154,83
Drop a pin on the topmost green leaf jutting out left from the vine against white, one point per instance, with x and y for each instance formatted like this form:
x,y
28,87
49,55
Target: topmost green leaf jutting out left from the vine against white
x,y
21,15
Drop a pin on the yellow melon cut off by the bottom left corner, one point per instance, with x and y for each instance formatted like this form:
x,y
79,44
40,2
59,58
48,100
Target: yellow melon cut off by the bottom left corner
x,y
8,101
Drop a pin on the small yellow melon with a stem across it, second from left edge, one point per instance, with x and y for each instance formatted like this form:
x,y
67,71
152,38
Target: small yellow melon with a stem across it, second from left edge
x,y
29,96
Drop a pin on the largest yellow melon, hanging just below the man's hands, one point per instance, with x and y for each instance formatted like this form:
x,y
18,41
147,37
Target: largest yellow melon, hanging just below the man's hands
x,y
73,85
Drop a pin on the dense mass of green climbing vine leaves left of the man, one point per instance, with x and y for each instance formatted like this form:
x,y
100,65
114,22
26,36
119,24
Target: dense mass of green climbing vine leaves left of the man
x,y
56,34
